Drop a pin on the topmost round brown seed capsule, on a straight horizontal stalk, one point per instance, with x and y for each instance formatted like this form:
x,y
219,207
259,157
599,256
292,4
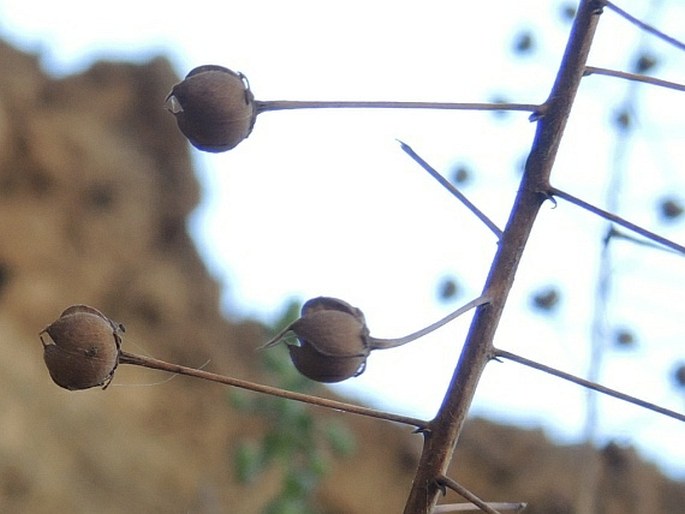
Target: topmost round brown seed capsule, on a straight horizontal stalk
x,y
214,108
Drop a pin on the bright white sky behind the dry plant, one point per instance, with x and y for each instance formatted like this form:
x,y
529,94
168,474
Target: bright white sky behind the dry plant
x,y
326,203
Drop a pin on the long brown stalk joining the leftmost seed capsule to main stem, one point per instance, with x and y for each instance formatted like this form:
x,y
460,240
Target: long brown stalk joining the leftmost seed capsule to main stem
x,y
149,362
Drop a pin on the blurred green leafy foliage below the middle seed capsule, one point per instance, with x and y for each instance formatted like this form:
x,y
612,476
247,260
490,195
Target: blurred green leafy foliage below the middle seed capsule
x,y
298,443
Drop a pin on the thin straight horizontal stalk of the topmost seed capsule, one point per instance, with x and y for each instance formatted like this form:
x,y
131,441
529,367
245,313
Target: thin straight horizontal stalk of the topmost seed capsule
x,y
279,105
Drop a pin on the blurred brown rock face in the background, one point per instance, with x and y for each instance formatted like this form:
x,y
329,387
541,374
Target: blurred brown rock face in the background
x,y
95,188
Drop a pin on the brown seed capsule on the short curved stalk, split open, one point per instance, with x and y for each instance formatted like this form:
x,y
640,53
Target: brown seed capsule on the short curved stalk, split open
x,y
333,340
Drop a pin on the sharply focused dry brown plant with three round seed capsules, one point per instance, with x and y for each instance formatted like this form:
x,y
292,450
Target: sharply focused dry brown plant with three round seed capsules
x,y
330,342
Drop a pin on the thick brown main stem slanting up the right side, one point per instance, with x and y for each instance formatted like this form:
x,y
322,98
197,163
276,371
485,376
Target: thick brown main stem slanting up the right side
x,y
443,431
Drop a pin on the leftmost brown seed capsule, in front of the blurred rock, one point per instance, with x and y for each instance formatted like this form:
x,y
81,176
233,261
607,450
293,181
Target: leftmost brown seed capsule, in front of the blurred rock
x,y
81,348
